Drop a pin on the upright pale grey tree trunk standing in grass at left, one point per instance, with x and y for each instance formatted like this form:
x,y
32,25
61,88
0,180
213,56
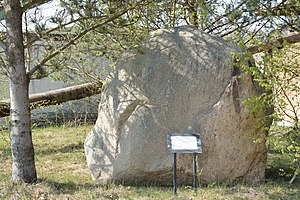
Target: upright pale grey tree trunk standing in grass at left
x,y
23,166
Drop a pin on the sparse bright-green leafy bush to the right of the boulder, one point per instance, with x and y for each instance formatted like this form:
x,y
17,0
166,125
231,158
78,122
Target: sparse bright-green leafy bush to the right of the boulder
x,y
277,72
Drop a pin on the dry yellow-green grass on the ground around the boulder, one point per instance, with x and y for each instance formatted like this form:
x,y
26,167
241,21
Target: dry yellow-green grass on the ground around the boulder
x,y
62,174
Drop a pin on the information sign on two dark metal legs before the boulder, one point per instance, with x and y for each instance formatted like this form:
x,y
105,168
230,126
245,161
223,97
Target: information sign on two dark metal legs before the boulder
x,y
185,143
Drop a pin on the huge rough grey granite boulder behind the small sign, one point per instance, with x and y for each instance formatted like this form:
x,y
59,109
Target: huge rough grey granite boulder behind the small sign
x,y
179,81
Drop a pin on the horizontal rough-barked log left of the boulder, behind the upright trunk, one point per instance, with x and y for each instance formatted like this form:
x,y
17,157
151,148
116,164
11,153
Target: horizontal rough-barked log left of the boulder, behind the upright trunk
x,y
55,97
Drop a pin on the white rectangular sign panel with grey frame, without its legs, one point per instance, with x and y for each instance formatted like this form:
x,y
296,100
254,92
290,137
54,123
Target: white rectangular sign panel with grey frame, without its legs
x,y
184,142
